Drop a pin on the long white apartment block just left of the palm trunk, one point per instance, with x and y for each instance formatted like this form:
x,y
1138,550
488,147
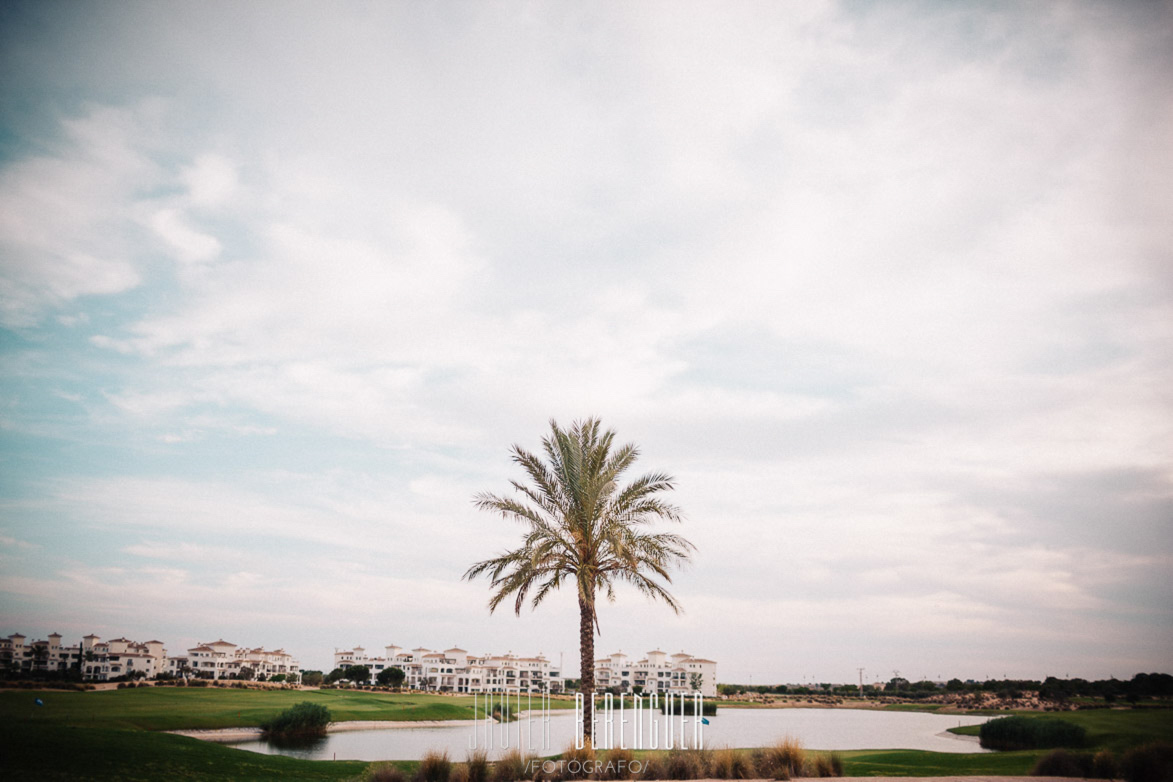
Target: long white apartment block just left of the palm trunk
x,y
457,671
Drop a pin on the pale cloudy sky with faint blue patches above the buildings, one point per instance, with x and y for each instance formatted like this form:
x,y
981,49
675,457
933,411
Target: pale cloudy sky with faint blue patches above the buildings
x,y
887,288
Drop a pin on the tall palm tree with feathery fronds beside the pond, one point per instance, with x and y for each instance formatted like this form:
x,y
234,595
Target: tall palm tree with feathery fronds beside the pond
x,y
584,528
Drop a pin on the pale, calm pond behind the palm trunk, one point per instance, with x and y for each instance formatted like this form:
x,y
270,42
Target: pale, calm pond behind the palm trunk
x,y
816,729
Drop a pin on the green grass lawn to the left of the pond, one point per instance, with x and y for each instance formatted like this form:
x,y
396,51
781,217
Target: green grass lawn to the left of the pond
x,y
116,735
